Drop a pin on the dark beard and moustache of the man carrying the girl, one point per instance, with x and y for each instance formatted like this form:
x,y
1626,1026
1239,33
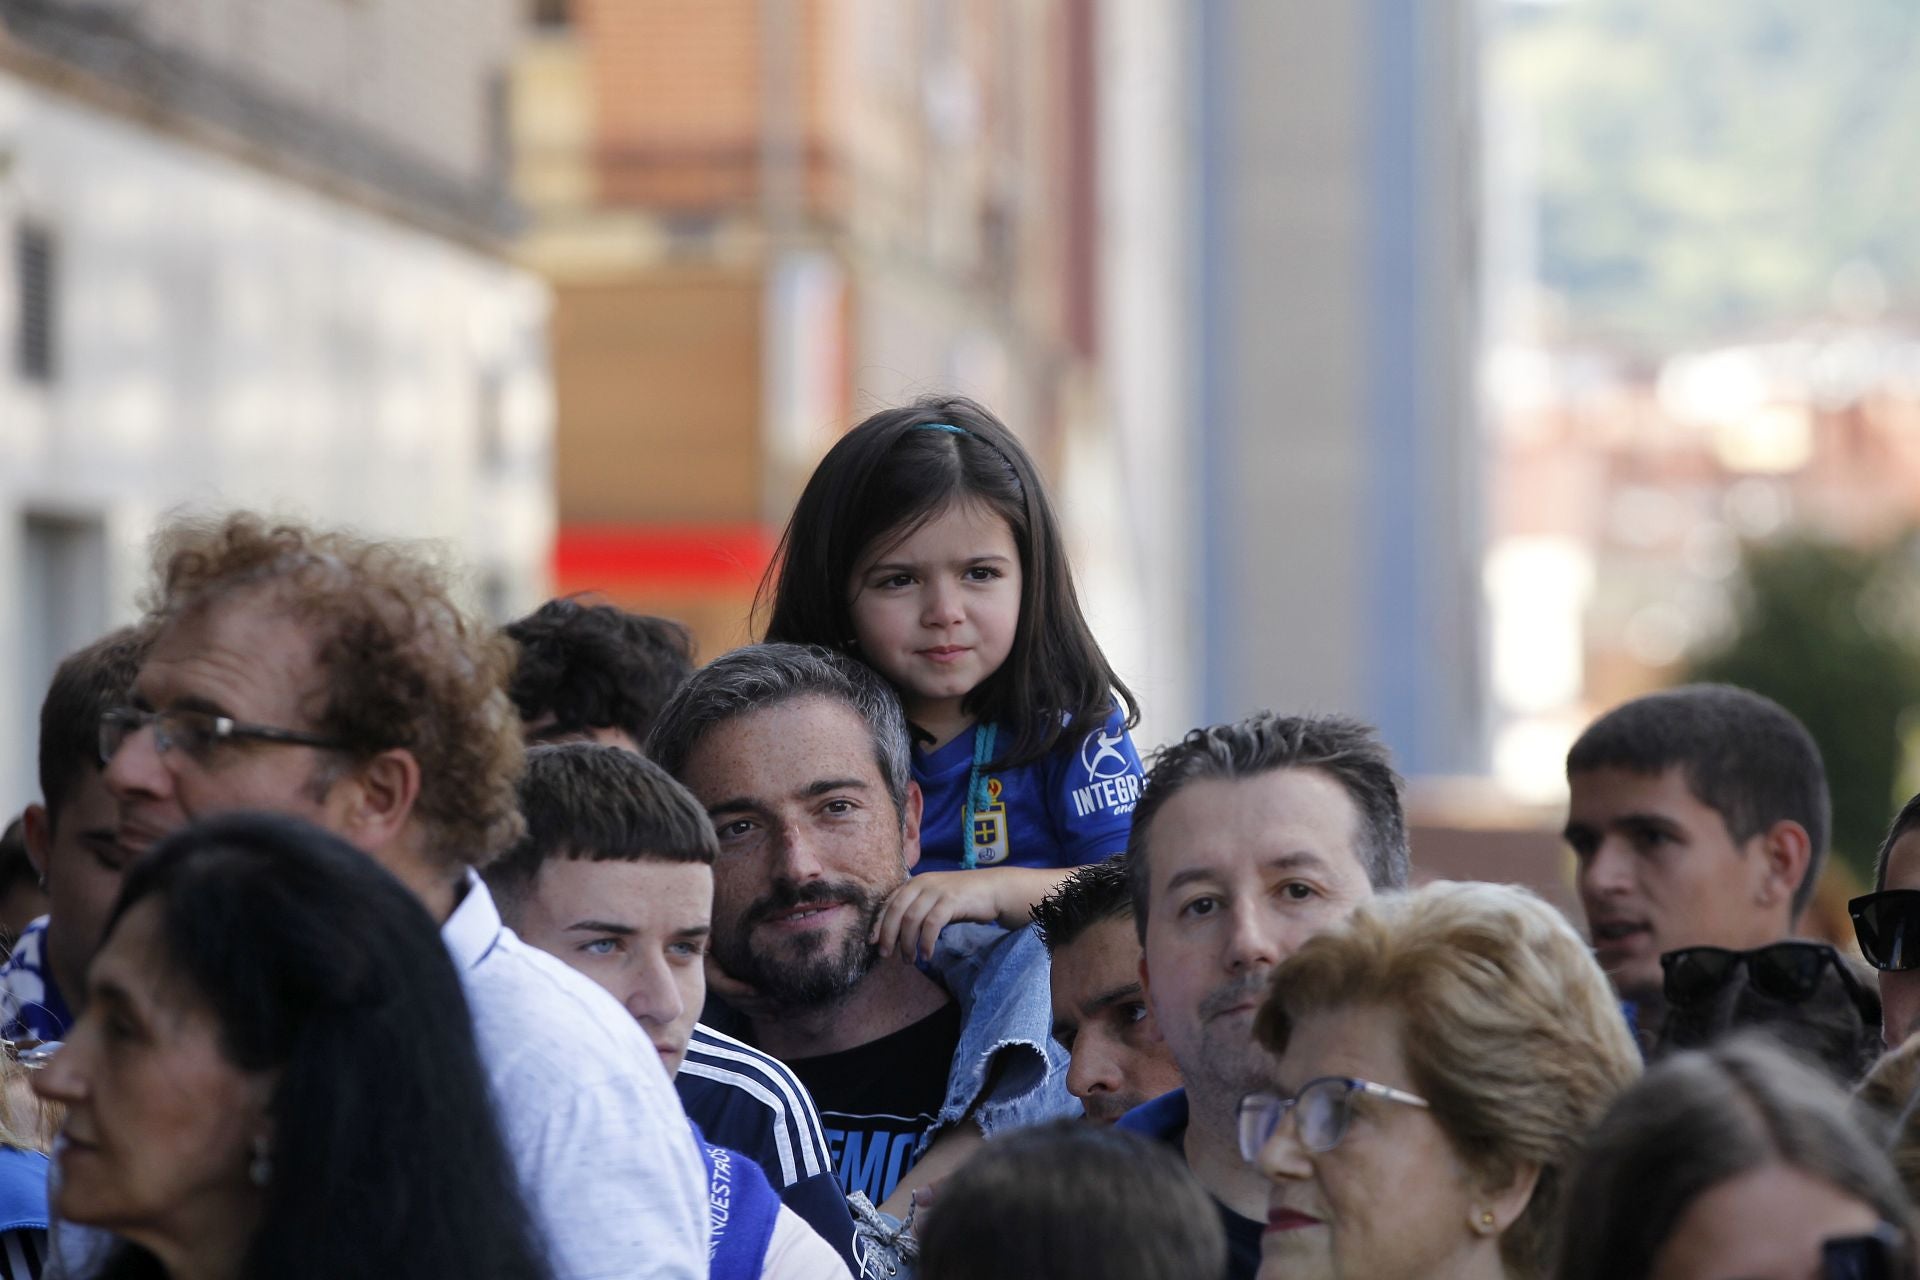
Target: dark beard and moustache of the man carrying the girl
x,y
809,976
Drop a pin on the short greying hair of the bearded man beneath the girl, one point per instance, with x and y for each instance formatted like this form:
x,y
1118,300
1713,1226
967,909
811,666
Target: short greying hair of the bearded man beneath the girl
x,y
763,676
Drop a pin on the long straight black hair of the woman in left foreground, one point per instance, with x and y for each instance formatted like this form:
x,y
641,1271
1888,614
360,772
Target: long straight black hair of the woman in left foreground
x,y
318,964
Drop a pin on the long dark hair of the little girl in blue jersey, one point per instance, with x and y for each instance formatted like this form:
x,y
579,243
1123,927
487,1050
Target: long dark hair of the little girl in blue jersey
x,y
884,481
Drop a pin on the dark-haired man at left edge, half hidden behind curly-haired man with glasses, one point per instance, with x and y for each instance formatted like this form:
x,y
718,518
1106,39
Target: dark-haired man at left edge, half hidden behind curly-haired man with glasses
x,y
70,840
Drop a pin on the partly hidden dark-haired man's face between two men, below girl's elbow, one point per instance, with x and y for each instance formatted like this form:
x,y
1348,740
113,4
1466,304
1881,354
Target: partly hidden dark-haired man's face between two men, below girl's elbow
x,y
1116,1056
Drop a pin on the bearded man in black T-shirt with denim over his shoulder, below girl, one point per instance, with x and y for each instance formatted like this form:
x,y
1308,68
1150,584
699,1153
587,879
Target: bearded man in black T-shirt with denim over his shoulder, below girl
x,y
802,763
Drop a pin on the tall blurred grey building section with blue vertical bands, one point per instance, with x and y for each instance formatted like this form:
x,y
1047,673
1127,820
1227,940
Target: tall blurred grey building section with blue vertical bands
x,y
1335,410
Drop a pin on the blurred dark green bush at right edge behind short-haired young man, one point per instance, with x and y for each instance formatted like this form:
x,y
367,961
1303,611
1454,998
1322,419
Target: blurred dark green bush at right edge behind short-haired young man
x,y
1829,632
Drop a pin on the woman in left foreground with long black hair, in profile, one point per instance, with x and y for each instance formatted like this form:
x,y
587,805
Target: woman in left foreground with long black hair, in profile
x,y
276,1076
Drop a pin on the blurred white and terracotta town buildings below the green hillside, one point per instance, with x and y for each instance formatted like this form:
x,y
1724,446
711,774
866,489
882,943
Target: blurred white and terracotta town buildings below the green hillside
x,y
1625,490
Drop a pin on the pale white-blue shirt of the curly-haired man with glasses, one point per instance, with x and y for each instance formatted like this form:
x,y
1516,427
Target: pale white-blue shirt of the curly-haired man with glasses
x,y
590,1118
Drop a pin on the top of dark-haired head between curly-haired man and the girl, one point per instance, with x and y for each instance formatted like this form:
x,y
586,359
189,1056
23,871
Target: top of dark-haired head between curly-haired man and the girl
x,y
596,673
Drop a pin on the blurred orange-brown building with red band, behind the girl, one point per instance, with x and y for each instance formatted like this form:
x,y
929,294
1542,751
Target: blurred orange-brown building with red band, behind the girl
x,y
765,220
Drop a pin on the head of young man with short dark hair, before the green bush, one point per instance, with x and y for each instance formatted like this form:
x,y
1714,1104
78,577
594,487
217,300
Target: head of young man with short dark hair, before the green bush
x,y
1700,818
